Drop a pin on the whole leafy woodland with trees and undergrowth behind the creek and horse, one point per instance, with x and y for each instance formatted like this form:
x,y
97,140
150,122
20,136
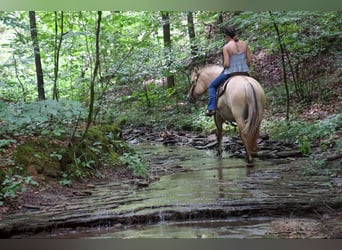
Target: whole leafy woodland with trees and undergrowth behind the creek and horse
x,y
72,81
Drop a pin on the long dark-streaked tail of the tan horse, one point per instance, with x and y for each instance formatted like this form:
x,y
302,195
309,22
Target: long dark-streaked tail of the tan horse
x,y
251,129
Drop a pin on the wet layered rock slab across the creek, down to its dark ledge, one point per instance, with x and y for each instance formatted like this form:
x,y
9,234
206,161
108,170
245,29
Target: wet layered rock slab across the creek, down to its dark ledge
x,y
267,190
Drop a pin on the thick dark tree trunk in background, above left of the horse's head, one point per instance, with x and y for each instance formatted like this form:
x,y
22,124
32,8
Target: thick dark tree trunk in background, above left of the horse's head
x,y
167,45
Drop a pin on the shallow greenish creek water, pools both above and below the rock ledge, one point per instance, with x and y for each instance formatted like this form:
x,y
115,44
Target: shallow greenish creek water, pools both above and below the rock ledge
x,y
205,184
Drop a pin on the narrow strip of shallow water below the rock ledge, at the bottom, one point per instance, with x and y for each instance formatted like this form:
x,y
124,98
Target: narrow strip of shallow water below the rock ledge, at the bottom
x,y
224,228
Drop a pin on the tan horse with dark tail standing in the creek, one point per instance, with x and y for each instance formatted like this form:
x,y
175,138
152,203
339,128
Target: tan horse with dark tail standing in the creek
x,y
242,102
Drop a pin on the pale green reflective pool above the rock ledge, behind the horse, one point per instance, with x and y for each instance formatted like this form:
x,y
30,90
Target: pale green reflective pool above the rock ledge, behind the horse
x,y
209,181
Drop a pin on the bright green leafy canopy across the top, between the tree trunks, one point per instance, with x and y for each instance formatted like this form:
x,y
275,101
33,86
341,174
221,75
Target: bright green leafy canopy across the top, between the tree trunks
x,y
132,49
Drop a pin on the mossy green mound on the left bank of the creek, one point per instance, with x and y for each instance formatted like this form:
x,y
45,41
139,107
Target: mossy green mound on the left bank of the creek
x,y
102,147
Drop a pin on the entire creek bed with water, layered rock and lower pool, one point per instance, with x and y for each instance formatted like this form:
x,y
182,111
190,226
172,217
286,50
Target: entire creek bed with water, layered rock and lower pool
x,y
202,197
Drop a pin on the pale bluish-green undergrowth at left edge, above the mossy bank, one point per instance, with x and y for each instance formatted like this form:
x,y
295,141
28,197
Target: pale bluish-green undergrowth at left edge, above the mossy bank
x,y
49,118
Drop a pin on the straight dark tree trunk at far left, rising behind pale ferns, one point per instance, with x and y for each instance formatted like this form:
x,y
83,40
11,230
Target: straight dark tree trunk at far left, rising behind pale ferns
x,y
39,70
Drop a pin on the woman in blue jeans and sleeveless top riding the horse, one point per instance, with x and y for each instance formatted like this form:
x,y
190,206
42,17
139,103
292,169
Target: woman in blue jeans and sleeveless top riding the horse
x,y
236,58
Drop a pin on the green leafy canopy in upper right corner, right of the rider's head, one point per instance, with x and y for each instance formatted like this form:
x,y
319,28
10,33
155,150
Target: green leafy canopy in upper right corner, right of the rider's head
x,y
304,33
